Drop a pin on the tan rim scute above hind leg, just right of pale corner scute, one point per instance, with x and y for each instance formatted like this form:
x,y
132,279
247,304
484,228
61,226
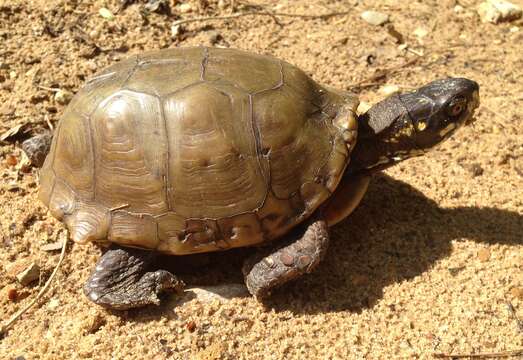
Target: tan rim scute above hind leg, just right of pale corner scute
x,y
132,230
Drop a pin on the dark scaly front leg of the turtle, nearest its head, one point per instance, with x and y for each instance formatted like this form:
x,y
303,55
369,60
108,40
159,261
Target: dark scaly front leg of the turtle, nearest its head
x,y
289,262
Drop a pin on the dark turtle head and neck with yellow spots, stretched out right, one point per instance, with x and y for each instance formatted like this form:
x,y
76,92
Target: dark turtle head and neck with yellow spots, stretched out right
x,y
410,124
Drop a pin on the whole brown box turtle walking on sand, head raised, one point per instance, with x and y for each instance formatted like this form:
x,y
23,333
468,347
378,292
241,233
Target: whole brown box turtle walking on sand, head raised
x,y
192,150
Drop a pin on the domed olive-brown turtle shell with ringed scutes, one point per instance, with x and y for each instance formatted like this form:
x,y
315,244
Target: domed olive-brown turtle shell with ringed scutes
x,y
196,149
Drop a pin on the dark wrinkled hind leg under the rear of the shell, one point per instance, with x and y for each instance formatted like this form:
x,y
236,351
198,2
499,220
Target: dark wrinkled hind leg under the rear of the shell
x,y
120,280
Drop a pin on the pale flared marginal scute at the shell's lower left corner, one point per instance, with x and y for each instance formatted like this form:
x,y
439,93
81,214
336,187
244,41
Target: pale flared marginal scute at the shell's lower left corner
x,y
89,222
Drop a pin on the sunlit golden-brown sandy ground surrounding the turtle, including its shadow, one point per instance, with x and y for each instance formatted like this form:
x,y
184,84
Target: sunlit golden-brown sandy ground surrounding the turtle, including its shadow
x,y
431,262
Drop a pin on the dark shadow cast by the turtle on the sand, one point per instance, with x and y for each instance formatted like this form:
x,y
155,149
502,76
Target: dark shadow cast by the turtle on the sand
x,y
396,234
